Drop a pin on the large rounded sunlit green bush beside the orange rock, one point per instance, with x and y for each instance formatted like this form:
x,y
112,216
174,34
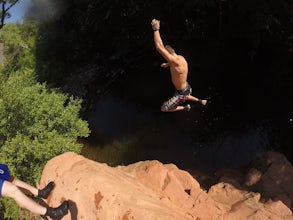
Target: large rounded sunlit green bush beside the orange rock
x,y
36,124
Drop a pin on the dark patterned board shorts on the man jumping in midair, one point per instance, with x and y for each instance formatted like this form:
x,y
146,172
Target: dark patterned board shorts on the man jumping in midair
x,y
178,98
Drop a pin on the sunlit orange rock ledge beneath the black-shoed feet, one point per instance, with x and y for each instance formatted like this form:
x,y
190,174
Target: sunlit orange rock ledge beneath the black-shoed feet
x,y
148,190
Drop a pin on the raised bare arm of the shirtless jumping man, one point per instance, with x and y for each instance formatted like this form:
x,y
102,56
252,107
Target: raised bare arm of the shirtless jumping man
x,y
159,43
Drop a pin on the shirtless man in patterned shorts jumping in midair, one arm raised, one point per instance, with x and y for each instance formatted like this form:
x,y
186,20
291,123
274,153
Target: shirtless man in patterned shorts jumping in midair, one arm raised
x,y
179,71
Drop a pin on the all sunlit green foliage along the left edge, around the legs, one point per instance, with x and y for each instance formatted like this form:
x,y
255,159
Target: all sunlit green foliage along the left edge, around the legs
x,y
36,123
